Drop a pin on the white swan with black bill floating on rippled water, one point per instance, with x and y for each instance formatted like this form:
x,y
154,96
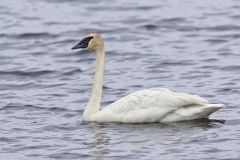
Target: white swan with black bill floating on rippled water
x,y
145,106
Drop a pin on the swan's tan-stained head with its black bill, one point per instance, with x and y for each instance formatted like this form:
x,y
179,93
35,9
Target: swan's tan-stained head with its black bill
x,y
92,41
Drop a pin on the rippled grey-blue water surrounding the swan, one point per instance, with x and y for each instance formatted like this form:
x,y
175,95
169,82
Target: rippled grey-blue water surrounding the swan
x,y
189,46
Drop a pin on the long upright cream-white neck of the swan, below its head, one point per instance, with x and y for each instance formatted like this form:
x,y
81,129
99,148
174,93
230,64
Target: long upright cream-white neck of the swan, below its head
x,y
93,105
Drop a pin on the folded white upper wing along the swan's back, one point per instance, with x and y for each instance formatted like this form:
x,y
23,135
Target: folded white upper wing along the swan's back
x,y
156,97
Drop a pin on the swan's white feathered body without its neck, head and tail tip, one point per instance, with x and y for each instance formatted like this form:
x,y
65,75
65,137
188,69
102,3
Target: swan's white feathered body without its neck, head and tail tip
x,y
152,105
